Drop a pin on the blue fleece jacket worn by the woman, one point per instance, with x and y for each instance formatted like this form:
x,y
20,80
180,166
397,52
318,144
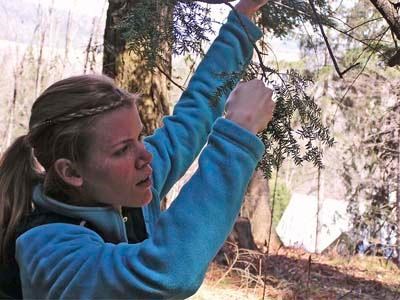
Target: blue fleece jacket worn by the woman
x,y
68,261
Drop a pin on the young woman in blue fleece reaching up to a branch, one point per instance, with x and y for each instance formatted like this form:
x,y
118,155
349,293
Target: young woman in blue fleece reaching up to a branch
x,y
80,193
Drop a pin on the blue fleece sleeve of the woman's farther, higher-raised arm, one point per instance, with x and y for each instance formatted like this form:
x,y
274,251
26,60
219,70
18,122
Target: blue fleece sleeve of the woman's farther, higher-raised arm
x,y
184,133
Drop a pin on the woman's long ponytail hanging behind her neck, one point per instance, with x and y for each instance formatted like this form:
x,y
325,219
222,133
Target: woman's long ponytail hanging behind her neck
x,y
17,178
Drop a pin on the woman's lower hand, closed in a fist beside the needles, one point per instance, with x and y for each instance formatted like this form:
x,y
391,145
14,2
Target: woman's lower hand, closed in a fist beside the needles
x,y
250,105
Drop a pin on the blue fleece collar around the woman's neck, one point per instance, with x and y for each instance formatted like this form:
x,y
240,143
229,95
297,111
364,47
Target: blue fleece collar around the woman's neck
x,y
107,220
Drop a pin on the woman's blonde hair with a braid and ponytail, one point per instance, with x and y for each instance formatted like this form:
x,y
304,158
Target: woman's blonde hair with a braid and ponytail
x,y
58,128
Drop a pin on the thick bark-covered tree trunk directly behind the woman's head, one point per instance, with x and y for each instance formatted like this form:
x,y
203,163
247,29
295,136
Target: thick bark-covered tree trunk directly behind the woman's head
x,y
128,70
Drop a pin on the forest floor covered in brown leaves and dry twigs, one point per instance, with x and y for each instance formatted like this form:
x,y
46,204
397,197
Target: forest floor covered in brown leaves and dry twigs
x,y
295,274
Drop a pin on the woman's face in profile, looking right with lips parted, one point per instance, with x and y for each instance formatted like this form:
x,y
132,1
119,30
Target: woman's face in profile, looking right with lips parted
x,y
117,170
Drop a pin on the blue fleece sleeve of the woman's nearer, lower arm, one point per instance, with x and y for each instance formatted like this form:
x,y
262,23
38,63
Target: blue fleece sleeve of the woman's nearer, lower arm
x,y
61,261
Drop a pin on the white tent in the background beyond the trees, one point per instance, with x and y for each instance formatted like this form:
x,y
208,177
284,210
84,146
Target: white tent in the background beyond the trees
x,y
298,225
